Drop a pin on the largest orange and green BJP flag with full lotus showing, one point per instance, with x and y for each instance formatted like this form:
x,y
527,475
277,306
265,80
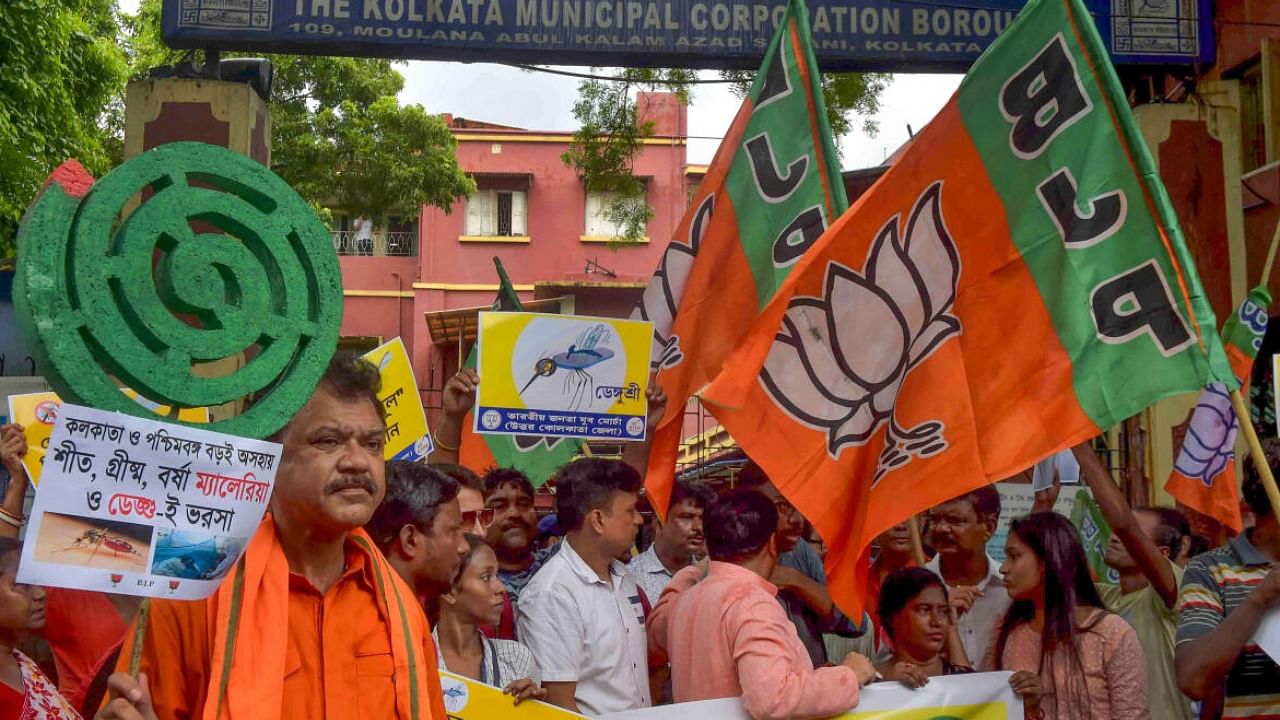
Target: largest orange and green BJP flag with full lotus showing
x,y
1016,285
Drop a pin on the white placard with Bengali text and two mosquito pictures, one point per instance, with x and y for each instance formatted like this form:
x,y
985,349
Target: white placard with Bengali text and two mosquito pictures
x,y
144,508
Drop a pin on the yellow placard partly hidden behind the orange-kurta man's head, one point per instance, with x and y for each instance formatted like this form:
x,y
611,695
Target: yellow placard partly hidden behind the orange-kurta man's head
x,y
408,435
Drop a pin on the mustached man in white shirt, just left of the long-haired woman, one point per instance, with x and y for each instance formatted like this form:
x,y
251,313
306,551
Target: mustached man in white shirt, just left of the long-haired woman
x,y
959,531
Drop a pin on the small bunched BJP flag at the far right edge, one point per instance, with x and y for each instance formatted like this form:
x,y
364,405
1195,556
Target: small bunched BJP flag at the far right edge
x,y
1204,476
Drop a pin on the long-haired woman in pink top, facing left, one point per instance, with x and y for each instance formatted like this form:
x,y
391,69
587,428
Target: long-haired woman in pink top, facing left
x,y
1058,639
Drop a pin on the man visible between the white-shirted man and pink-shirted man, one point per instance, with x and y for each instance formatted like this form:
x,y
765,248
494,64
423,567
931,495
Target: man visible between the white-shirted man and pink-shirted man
x,y
678,543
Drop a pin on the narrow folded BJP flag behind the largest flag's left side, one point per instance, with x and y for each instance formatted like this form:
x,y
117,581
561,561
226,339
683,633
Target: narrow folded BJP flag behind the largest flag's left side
x,y
770,193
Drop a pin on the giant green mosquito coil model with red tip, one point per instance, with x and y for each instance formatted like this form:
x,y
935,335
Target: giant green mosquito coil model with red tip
x,y
185,256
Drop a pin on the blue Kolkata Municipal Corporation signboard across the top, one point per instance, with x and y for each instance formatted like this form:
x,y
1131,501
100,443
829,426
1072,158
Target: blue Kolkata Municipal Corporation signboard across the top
x,y
849,35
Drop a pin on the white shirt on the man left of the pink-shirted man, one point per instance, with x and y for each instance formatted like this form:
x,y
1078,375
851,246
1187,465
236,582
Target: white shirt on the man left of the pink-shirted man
x,y
589,632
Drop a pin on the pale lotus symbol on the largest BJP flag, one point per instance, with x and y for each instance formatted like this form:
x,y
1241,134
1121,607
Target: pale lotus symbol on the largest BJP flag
x,y
839,362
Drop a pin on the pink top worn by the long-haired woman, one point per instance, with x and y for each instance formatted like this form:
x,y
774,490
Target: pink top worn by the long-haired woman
x,y
1116,673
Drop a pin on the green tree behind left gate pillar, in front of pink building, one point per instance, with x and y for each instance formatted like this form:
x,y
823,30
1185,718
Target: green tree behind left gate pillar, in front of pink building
x,y
340,135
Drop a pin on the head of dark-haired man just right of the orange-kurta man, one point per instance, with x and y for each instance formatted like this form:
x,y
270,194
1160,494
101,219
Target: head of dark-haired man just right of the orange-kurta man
x,y
419,528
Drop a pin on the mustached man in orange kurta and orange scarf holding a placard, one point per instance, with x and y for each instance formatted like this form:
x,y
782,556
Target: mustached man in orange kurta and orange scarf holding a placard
x,y
313,623
